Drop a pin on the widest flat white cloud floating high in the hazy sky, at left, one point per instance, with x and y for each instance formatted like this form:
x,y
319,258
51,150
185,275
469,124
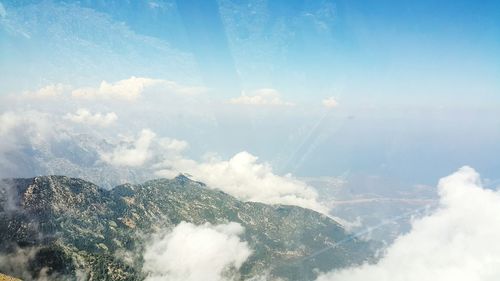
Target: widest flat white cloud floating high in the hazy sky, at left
x,y
131,89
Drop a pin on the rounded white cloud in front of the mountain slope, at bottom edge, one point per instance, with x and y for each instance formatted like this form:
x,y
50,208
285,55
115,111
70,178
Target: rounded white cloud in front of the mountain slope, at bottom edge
x,y
194,253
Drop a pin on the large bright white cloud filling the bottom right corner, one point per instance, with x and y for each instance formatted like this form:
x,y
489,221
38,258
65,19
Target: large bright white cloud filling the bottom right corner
x,y
459,241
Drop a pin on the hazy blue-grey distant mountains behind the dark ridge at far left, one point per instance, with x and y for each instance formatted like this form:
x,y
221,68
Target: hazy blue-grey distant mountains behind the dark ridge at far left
x,y
73,155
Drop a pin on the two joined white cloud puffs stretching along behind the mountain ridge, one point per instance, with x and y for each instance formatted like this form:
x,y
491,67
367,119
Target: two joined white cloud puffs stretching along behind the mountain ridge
x,y
241,176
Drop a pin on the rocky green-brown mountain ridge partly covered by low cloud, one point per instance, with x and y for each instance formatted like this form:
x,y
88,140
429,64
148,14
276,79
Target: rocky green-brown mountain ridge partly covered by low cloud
x,y
68,228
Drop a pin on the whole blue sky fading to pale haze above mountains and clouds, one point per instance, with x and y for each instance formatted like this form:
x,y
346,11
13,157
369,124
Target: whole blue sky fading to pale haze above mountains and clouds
x,y
407,90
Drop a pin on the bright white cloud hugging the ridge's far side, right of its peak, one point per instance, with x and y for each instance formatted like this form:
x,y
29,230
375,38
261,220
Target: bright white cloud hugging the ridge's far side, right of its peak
x,y
245,178
